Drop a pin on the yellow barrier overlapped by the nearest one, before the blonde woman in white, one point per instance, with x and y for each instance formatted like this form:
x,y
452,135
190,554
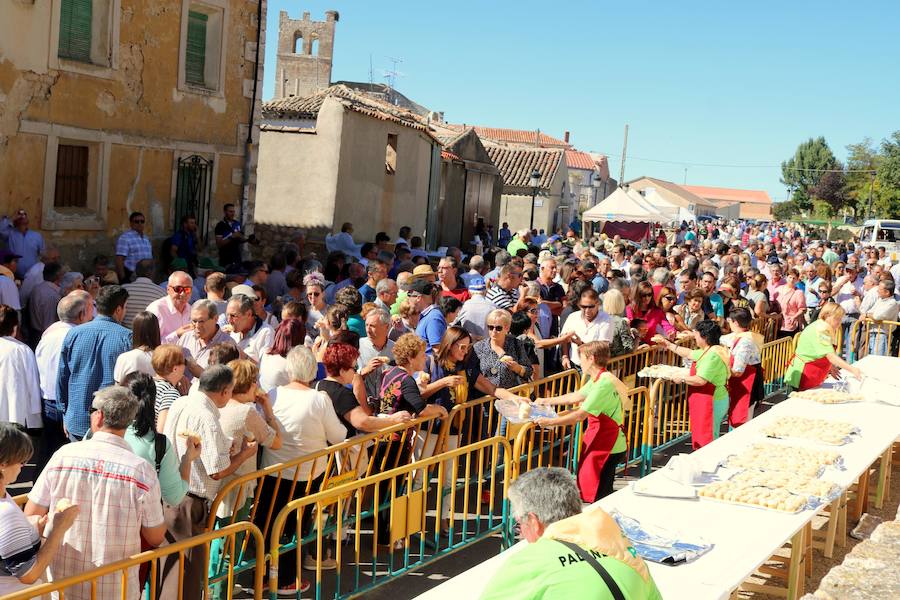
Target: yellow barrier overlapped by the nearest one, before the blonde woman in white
x,y
359,456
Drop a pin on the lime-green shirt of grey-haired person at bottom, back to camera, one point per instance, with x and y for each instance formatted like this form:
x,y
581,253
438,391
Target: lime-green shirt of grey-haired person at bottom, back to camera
x,y
548,570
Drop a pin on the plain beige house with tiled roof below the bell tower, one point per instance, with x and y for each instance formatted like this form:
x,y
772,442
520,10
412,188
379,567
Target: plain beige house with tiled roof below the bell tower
x,y
340,155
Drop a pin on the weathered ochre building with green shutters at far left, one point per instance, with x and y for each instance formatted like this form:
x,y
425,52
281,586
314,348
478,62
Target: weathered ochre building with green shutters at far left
x,y
114,106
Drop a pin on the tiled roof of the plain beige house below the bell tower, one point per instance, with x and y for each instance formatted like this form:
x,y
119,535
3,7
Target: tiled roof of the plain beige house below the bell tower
x,y
294,107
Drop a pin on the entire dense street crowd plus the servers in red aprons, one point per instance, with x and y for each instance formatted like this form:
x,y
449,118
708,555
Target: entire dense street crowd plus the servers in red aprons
x,y
138,399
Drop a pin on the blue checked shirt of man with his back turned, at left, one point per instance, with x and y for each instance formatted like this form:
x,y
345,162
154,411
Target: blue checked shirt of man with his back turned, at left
x,y
86,363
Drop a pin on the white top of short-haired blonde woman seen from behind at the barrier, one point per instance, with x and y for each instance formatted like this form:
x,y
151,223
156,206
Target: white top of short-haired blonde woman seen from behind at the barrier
x,y
308,423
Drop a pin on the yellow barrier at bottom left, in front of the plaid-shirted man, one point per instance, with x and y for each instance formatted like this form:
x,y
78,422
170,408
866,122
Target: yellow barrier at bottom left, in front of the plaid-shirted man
x,y
121,568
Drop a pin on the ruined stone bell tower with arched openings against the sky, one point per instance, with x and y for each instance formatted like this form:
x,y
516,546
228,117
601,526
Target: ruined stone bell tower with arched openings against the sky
x,y
305,52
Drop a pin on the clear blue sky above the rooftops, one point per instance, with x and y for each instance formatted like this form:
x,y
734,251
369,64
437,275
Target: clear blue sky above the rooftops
x,y
698,82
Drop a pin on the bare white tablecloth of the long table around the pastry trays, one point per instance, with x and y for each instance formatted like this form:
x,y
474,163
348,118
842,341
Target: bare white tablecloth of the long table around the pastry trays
x,y
743,537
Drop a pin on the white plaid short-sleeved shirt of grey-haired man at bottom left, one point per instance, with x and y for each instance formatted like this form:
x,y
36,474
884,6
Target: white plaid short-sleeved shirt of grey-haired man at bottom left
x,y
117,493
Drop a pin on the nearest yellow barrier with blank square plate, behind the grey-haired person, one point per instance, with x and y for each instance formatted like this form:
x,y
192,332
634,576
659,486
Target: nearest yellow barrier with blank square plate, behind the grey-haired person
x,y
409,529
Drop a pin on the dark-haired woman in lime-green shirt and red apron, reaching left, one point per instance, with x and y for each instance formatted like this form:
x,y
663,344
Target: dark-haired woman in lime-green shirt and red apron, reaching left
x,y
707,381
